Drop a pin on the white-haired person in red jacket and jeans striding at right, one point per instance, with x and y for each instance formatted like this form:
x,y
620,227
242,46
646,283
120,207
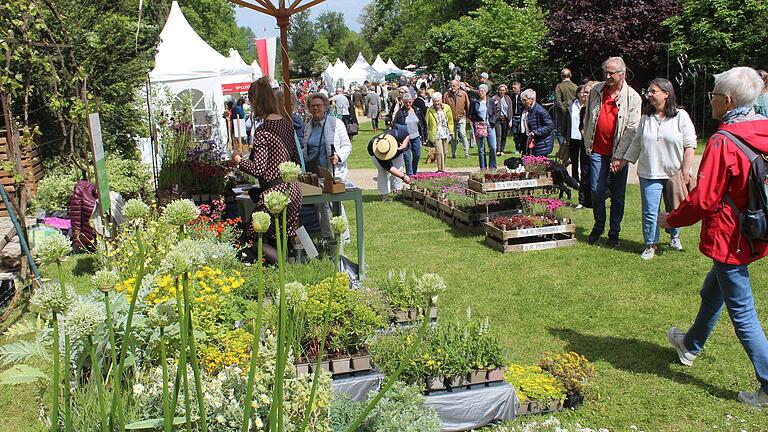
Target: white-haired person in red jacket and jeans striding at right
x,y
723,173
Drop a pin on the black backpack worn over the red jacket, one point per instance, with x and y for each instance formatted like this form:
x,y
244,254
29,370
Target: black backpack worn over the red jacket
x,y
754,220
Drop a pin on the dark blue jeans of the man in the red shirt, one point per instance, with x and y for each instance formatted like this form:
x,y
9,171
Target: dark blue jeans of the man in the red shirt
x,y
601,177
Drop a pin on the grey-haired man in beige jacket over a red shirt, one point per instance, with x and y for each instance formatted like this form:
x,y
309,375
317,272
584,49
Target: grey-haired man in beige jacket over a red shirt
x,y
610,122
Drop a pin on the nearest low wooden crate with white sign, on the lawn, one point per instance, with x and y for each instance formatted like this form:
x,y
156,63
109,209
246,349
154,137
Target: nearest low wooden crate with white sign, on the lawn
x,y
529,239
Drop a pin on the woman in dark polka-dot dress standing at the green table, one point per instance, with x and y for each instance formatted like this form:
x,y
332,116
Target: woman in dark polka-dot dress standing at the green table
x,y
273,144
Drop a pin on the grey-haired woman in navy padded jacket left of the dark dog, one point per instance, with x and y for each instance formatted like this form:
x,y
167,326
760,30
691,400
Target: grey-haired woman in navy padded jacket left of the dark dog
x,y
536,124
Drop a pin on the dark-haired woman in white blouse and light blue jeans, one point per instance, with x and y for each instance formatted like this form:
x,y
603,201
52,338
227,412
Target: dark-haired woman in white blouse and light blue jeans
x,y
662,148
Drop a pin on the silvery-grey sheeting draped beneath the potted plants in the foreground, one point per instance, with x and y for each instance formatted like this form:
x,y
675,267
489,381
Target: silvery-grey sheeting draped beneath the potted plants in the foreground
x,y
459,410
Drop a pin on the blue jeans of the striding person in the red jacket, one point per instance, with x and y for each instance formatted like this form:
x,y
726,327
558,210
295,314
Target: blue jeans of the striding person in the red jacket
x,y
730,285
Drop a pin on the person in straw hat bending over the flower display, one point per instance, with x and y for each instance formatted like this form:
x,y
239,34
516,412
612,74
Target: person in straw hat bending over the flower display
x,y
386,150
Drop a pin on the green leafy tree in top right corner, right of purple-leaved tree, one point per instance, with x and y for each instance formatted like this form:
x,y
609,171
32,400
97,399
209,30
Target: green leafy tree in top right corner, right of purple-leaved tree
x,y
721,34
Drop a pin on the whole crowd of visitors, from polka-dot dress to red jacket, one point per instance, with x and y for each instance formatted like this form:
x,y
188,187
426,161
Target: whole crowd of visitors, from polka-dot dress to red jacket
x,y
603,127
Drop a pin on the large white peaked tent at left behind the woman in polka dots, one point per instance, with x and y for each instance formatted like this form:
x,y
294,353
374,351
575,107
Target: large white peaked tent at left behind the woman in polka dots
x,y
190,70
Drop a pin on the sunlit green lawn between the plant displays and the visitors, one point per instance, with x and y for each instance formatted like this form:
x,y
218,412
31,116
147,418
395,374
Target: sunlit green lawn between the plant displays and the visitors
x,y
604,303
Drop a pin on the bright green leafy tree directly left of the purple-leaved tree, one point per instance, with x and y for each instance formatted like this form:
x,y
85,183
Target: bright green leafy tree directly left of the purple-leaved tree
x,y
481,41
